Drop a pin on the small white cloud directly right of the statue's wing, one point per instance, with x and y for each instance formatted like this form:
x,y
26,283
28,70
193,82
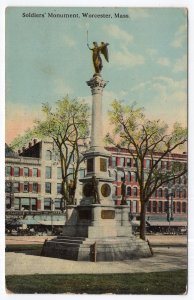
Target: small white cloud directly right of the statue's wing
x,y
124,58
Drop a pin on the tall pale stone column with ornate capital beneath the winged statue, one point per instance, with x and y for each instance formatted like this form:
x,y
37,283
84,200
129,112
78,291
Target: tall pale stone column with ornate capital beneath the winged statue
x,y
97,85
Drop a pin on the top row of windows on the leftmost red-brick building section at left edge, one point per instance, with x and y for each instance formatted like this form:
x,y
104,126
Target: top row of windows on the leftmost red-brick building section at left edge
x,y
17,171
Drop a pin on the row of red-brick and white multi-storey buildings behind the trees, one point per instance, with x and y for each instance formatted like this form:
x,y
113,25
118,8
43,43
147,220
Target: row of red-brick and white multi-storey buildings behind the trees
x,y
33,185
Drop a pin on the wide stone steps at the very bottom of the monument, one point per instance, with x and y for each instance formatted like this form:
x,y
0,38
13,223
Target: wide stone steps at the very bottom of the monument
x,y
89,249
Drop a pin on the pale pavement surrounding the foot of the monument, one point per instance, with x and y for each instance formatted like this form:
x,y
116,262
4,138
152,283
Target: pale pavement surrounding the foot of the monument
x,y
170,253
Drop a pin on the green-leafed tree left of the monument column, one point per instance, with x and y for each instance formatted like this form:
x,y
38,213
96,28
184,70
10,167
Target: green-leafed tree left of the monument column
x,y
67,126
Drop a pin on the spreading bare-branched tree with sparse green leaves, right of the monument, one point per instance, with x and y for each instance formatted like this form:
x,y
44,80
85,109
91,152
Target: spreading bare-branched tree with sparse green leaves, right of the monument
x,y
145,138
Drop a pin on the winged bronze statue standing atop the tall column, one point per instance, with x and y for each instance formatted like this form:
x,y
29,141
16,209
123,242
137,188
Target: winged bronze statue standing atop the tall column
x,y
97,60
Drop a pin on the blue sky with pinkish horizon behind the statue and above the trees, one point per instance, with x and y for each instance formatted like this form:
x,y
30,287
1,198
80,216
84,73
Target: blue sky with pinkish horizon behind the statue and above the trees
x,y
47,58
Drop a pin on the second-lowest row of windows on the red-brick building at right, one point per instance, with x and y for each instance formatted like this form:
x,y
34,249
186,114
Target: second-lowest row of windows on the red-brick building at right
x,y
160,193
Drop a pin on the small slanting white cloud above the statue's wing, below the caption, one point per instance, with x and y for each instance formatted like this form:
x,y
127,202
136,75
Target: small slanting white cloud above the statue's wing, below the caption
x,y
117,33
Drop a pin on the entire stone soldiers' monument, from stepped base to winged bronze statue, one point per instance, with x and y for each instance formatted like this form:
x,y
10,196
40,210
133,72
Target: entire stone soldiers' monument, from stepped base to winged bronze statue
x,y
96,229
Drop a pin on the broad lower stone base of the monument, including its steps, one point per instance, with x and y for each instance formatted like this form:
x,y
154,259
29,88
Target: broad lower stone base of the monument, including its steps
x,y
97,233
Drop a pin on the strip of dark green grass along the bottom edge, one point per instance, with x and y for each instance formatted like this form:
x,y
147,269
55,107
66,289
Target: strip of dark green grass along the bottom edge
x,y
157,283
